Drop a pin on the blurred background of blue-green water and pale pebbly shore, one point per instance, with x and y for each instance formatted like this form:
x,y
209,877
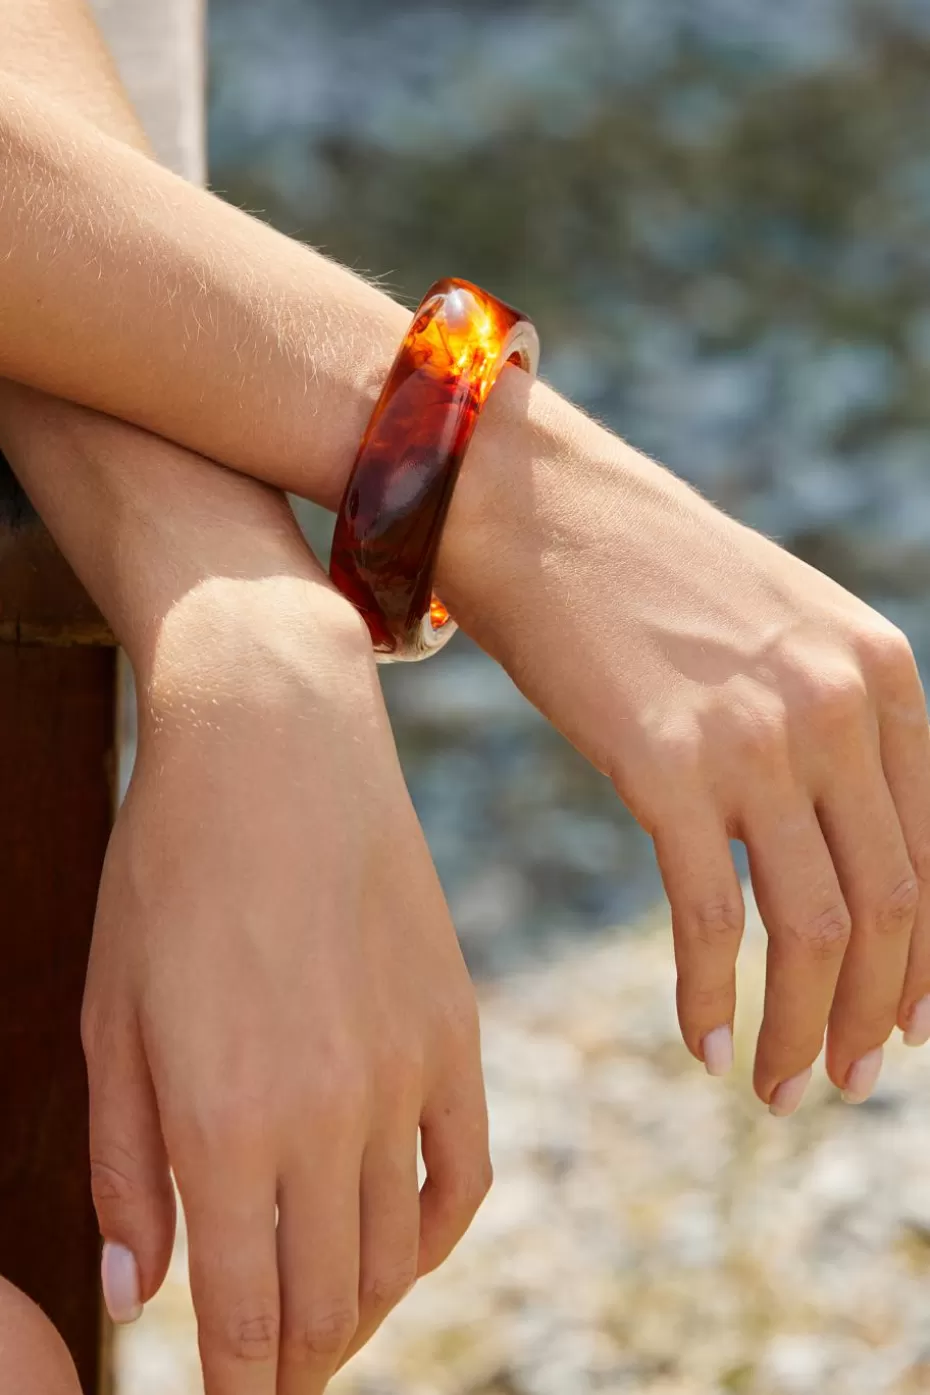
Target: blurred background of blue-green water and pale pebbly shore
x,y
719,214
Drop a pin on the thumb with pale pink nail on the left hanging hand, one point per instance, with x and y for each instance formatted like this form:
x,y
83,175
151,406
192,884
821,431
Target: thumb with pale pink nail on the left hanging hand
x,y
130,1177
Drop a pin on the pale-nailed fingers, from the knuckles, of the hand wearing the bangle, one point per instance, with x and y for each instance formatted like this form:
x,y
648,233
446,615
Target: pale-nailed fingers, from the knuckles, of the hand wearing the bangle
x,y
829,783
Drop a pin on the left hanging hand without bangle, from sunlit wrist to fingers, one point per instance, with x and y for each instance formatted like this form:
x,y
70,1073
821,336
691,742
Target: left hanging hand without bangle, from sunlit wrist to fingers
x,y
277,1001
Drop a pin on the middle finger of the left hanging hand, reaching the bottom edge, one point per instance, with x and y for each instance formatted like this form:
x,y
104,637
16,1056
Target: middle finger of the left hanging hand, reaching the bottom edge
x,y
319,1245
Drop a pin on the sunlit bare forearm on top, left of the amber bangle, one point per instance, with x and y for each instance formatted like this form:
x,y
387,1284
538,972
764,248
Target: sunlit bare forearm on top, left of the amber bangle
x,y
133,292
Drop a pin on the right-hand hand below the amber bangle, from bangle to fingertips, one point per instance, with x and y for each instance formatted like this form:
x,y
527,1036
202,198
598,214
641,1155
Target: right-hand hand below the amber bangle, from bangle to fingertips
x,y
730,693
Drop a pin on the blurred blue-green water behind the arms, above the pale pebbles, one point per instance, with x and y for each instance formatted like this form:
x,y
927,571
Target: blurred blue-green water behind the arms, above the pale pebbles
x,y
719,214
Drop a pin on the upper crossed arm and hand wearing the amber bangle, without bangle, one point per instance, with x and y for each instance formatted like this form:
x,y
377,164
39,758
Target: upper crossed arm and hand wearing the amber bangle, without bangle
x,y
729,690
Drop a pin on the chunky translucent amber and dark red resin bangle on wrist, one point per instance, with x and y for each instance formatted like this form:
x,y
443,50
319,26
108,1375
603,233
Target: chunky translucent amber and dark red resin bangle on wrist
x,y
395,506
